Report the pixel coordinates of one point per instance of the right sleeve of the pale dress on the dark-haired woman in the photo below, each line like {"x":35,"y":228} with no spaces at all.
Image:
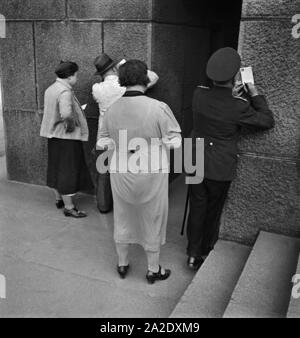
{"x":169,"y":128}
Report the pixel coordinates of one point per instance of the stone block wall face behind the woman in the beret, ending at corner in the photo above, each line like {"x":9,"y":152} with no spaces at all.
{"x":40,"y":33}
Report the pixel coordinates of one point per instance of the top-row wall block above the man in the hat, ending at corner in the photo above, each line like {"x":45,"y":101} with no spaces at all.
{"x":107,"y":9}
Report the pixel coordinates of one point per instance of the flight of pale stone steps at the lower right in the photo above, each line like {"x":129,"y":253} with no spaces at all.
{"x":235,"y":281}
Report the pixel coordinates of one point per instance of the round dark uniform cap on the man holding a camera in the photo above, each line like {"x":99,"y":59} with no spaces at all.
{"x":223,"y":64}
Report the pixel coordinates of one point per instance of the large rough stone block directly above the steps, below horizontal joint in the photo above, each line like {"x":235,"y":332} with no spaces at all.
{"x":264,"y":196}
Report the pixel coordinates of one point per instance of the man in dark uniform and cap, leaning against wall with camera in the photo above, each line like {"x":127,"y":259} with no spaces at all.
{"x":218,"y":117}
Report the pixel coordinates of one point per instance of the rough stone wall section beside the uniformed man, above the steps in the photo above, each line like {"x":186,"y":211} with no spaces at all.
{"x":265,"y":194}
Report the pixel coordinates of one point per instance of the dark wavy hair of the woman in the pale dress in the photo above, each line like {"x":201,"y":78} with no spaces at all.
{"x":132,"y":73}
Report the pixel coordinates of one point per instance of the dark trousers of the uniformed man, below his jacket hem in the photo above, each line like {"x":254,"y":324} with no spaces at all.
{"x":206,"y":204}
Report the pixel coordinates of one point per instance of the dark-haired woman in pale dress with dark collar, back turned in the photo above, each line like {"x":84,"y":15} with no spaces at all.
{"x":140,"y":194}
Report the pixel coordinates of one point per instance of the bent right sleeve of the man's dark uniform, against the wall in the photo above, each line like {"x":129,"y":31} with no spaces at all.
{"x":257,"y":114}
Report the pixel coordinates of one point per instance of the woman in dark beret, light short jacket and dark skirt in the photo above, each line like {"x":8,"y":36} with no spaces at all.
{"x":65,"y":127}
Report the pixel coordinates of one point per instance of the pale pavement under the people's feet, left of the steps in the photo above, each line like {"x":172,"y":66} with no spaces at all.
{"x":61,"y":267}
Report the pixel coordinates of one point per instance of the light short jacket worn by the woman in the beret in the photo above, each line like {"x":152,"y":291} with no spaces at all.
{"x":60,"y":103}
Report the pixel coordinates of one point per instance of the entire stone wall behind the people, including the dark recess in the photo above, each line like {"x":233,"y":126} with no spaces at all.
{"x":175,"y":38}
